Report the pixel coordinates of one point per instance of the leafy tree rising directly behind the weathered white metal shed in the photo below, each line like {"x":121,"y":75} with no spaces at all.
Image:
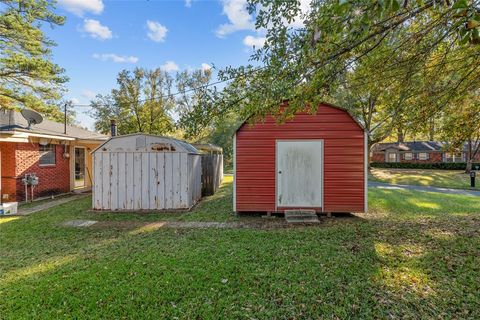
{"x":142,"y":103}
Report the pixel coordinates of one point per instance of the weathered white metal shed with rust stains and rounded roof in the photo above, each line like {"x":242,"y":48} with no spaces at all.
{"x":146,"y":172}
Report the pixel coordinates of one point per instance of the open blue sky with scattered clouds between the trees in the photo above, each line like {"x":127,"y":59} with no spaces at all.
{"x":102,"y":37}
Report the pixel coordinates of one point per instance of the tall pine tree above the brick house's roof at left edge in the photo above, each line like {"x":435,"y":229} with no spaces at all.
{"x":27,"y":76}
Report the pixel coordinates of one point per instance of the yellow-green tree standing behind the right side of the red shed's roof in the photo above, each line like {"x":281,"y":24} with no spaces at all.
{"x":378,"y":105}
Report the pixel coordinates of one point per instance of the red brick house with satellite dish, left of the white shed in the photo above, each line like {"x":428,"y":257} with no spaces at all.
{"x":62,"y":161}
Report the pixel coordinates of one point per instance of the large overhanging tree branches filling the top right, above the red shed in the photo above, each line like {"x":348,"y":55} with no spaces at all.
{"x":309,"y":64}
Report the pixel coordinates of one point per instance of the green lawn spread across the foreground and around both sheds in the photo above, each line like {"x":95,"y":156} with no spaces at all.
{"x":415,"y":255}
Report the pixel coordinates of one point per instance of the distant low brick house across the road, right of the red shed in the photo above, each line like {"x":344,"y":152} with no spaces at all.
{"x":418,"y":152}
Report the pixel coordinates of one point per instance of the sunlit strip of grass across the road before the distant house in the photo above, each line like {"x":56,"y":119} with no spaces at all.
{"x":436,"y":178}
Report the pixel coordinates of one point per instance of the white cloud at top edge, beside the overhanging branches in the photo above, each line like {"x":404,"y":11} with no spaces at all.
{"x":238,"y":16}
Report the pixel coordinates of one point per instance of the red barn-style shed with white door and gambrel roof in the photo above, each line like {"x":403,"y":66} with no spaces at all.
{"x":314,"y":161}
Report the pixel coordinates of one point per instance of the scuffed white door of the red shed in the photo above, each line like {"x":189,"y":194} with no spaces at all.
{"x":299,"y":173}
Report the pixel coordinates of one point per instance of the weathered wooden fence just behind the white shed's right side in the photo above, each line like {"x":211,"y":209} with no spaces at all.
{"x":212,"y":173}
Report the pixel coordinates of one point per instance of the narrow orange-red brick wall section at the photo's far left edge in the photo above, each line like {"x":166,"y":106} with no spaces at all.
{"x":9,"y":189}
